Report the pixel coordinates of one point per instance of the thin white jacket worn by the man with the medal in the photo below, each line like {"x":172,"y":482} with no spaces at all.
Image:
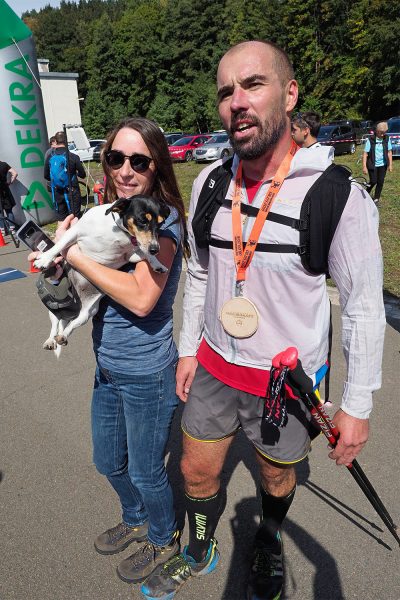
{"x":293,"y":305}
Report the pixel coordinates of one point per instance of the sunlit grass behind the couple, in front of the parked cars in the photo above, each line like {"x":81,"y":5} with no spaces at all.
{"x":389,"y":209}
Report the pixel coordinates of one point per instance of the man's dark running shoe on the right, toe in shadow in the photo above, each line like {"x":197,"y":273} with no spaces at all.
{"x":266,"y":575}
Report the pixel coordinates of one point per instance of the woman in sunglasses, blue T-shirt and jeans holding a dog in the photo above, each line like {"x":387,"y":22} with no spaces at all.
{"x":134,"y":389}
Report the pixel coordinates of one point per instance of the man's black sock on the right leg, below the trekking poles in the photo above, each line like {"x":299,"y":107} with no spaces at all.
{"x":274,"y":510}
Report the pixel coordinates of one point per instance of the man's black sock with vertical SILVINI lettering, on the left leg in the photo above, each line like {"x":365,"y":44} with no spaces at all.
{"x":203,"y":516}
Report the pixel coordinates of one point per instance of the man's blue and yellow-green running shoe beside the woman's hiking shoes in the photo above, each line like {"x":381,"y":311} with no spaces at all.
{"x":167,"y":579}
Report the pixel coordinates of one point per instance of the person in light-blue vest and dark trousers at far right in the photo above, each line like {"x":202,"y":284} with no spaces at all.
{"x":377,"y":158}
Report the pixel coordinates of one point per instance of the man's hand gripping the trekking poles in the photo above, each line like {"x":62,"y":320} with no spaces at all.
{"x":353,"y":436}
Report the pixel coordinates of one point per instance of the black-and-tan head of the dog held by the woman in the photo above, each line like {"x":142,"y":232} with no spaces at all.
{"x":142,"y":216}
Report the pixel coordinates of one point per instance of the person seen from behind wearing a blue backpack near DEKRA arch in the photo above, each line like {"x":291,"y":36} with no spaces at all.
{"x":65,"y":190}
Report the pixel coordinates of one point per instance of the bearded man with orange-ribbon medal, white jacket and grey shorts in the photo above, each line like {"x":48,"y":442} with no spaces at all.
{"x":222,"y":374}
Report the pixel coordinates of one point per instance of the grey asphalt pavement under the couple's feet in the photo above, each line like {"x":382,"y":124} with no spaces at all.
{"x":53,"y":503}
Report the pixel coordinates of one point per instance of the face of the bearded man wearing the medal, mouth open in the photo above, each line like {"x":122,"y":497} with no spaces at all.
{"x":252,"y":103}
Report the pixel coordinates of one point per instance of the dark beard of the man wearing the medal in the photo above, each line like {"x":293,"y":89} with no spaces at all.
{"x":266,"y":139}
